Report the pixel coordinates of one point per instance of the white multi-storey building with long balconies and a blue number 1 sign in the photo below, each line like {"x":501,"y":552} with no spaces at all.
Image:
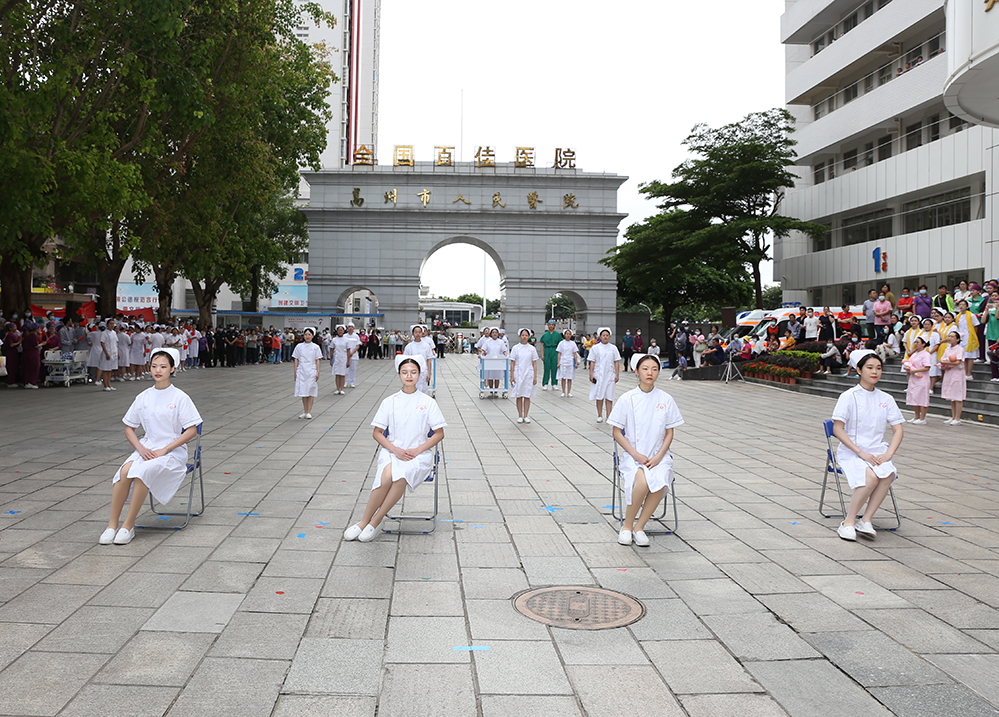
{"x":906,"y":187}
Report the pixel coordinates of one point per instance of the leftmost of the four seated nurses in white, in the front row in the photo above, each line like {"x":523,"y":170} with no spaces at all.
{"x":169,"y":420}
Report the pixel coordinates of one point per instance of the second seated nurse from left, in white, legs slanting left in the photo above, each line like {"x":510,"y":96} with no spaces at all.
{"x":406,"y":457}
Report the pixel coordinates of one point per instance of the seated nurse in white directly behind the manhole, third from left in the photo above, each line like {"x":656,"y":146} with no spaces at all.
{"x":643,"y":422}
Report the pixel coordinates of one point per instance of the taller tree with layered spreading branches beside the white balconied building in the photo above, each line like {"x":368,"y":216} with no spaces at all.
{"x":735,"y":185}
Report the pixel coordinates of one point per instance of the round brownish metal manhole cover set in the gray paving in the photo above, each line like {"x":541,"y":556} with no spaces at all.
{"x":579,"y":608}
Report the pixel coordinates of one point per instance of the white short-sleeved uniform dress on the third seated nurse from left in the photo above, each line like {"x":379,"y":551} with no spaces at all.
{"x":644,"y":418}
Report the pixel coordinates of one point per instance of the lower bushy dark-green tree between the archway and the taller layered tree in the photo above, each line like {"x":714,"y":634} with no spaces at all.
{"x":660,"y":266}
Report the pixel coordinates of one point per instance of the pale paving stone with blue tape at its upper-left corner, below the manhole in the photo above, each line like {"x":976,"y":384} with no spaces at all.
{"x":515,"y":666}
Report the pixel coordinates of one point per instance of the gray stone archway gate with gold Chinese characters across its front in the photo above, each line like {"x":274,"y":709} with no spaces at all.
{"x":547,"y":229}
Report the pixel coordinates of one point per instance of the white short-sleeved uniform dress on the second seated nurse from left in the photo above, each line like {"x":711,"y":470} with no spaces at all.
{"x":409,"y":418}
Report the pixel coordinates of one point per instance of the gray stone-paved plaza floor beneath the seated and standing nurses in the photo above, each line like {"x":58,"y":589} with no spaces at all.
{"x":754,"y":608}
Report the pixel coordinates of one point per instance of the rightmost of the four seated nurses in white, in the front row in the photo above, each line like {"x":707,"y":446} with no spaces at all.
{"x":859,"y":420}
